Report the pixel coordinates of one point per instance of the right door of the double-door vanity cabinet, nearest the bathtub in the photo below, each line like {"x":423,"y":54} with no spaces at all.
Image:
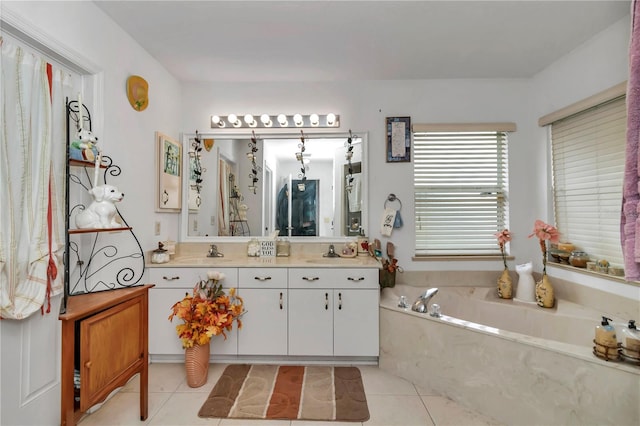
{"x":355,"y":319}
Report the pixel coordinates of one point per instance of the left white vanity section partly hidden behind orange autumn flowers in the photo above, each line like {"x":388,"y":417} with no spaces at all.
{"x":171,"y":284}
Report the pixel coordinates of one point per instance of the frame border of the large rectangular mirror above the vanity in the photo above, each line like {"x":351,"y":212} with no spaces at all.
{"x":265,"y":135}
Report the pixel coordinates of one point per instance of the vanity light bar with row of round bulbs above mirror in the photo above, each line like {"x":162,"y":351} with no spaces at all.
{"x":279,"y":121}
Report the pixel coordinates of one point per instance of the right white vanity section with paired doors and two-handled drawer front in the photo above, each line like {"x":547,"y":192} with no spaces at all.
{"x":333,"y":312}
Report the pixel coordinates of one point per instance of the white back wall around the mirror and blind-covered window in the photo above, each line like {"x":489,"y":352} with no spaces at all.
{"x":363,"y":107}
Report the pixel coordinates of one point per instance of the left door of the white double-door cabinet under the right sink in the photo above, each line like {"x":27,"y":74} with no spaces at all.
{"x":311,"y":322}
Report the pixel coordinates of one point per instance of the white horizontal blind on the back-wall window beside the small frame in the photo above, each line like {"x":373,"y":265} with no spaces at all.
{"x":460,"y":187}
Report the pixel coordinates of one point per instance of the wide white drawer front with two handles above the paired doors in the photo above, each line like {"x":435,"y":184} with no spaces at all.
{"x":333,"y":278}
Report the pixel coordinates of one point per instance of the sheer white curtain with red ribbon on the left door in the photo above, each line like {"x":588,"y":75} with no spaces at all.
{"x":32,"y":179}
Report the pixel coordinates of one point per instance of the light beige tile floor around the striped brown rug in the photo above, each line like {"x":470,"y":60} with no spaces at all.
{"x":391,"y":400}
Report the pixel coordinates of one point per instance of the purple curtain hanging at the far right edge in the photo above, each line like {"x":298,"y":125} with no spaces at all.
{"x":630,"y":221}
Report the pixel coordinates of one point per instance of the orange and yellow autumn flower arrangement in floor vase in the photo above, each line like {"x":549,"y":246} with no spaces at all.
{"x":207,"y":312}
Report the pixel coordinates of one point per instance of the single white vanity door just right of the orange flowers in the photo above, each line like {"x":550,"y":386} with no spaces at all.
{"x":264,"y":325}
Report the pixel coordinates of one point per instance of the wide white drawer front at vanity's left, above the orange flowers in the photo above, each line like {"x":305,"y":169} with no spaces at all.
{"x":187,"y":277}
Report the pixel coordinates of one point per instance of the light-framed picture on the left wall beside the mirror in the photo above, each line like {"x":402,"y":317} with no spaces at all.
{"x":169,"y":161}
